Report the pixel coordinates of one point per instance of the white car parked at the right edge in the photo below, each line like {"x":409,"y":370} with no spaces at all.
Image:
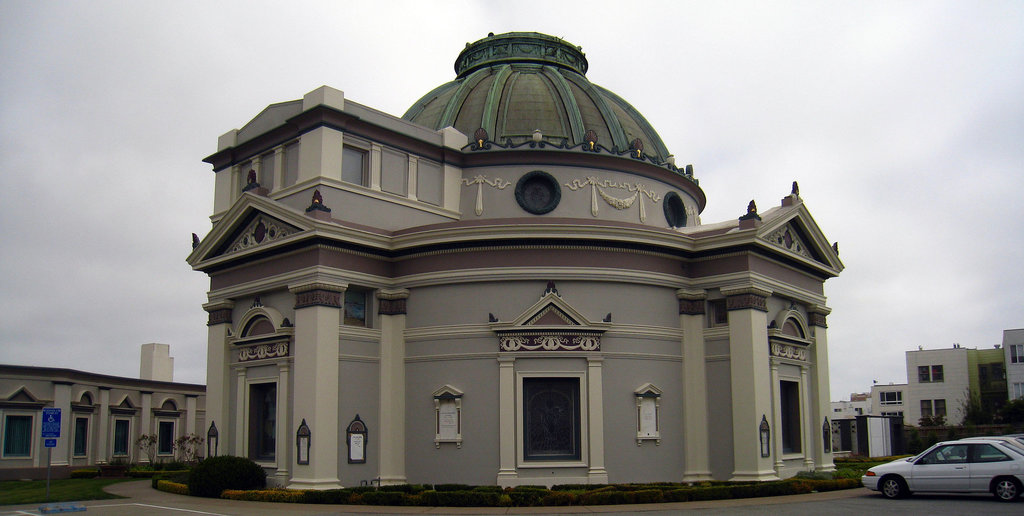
{"x":962,"y":466}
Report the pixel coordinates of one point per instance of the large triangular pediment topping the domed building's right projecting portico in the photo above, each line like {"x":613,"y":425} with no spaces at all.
{"x":794,"y":233}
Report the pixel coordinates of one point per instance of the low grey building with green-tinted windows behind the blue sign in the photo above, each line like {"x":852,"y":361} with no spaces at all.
{"x":102,"y":417}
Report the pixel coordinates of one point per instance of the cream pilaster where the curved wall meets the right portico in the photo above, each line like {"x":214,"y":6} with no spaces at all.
{"x":697,"y":467}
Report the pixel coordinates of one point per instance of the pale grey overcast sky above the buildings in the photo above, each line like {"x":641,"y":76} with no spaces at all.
{"x":904,"y":123}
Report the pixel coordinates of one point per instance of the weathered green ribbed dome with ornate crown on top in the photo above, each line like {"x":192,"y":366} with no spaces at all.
{"x":516,"y":83}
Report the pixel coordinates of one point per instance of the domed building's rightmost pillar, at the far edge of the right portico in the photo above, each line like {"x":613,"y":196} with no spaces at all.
{"x":821,"y":404}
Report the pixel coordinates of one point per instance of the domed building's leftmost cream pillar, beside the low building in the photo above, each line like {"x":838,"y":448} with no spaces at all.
{"x":219,"y":373}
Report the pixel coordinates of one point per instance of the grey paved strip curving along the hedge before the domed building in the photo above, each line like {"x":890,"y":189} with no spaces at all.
{"x":142,"y":499}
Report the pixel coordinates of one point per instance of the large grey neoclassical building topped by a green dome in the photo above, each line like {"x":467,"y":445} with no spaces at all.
{"x":509,"y":285}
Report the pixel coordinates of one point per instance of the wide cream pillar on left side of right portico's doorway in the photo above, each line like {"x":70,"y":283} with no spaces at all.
{"x":751,"y":380}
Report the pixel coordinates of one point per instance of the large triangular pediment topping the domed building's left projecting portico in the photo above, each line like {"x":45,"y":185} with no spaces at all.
{"x":253,"y":224}
